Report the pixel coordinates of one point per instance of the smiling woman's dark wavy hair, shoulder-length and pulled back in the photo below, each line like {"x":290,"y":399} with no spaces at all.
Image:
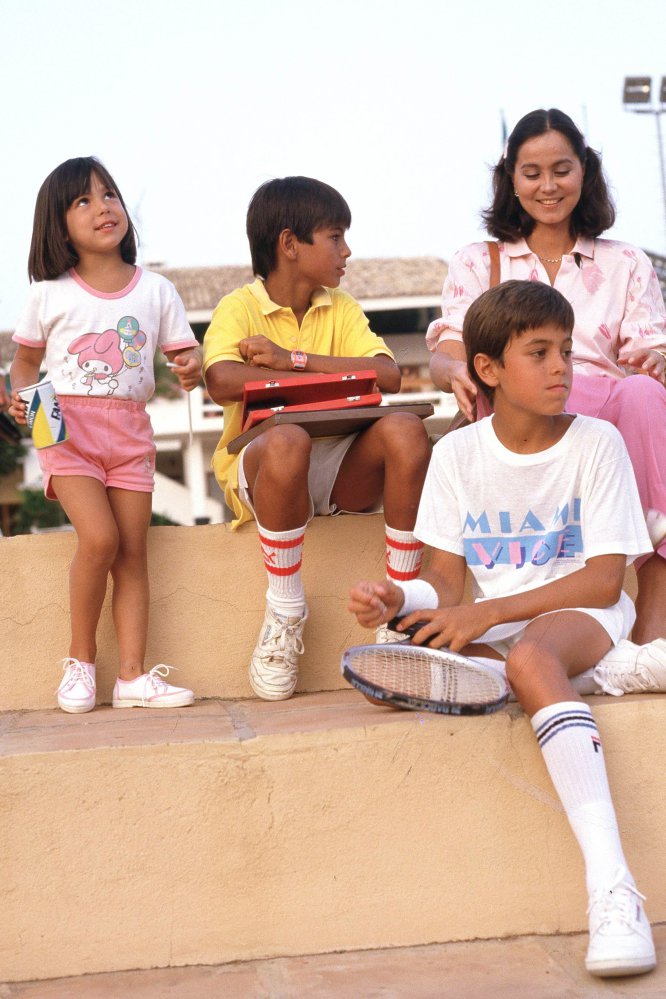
{"x":507,"y":220}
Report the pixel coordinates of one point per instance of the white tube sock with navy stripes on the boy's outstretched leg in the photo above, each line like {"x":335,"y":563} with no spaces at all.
{"x":569,"y":740}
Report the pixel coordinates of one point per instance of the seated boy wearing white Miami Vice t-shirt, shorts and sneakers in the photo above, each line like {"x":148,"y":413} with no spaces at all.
{"x":543,"y":508}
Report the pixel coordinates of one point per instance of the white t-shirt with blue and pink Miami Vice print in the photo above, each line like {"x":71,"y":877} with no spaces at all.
{"x":523,"y":520}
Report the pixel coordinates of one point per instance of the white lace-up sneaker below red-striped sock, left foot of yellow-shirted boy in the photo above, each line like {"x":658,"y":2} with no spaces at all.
{"x":274,"y":663}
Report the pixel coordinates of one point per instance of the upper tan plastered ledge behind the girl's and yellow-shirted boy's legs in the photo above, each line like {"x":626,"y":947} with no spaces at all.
{"x":207,"y":603}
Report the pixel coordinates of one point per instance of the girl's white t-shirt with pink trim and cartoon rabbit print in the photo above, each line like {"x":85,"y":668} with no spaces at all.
{"x":100,"y":344}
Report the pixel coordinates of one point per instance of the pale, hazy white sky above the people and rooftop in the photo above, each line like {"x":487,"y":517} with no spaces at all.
{"x":192,"y":105}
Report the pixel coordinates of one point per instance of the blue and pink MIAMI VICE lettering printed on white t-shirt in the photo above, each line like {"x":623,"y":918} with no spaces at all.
{"x":529,"y":541}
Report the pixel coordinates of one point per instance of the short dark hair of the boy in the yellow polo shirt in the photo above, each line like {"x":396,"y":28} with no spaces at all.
{"x":301,"y":204}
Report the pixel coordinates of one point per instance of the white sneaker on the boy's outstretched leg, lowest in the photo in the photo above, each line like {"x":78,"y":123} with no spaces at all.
{"x":620,"y":934}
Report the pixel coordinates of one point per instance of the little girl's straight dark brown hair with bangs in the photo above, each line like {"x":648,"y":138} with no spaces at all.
{"x":51,"y":253}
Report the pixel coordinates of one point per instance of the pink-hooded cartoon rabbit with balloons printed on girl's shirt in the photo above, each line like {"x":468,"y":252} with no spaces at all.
{"x":101,"y":356}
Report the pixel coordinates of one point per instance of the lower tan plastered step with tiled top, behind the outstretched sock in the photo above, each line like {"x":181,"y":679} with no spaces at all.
{"x":238,"y":831}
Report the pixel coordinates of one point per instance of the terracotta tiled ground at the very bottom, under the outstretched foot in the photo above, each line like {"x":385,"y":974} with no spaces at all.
{"x":520,"y":968}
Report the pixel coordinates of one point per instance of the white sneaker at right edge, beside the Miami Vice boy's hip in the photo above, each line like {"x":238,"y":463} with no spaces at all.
{"x":633,"y":669}
